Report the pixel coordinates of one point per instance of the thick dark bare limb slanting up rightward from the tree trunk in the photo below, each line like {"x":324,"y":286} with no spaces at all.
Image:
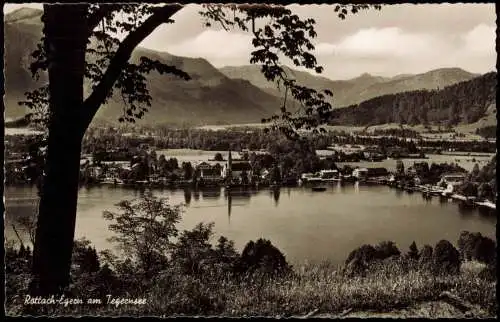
{"x":121,"y":57}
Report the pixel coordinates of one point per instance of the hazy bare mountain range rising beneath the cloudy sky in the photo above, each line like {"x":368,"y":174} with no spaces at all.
{"x":213,"y":96}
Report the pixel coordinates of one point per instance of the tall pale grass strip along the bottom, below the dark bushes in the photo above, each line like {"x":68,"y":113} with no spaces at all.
{"x":321,"y":287}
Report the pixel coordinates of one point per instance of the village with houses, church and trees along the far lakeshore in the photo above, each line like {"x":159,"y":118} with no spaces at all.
{"x":245,"y":169}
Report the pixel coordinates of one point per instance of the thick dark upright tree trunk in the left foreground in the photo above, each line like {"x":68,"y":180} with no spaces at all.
{"x":65,"y":43}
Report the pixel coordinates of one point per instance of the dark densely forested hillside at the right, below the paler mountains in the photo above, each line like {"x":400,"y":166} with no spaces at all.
{"x":465,"y":102}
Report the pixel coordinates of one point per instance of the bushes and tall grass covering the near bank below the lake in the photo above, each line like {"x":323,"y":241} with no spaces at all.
{"x":191,"y":275}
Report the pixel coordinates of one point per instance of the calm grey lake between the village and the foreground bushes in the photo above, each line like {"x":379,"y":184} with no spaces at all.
{"x":305,"y":225}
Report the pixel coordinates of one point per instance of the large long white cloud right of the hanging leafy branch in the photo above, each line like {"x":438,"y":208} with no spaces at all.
{"x":390,"y":51}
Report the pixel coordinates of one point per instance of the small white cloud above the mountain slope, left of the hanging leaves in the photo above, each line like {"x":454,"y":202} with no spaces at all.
{"x":218,"y":46}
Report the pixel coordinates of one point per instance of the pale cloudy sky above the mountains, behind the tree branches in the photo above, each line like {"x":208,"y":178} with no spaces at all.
{"x":399,"y":39}
